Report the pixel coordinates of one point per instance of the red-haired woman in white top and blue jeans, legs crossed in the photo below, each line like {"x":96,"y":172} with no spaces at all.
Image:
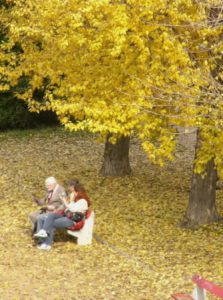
{"x":76,"y":207}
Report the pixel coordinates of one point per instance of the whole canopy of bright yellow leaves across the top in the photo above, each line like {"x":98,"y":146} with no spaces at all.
{"x":121,"y":67}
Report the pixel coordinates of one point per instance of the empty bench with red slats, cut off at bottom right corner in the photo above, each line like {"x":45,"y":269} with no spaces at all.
{"x":199,"y":293}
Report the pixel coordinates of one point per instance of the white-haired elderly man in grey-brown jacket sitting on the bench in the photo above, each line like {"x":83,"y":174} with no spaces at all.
{"x":51,"y":202}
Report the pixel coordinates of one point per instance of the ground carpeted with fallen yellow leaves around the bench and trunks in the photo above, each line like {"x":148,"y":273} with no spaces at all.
{"x":139,"y":252}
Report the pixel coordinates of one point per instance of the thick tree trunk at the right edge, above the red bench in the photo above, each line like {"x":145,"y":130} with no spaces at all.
{"x":202,"y":207}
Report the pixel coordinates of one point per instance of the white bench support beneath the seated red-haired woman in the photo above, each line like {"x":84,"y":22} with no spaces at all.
{"x":85,"y":234}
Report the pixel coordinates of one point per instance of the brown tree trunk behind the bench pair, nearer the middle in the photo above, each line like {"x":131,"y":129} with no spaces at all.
{"x":116,"y":158}
